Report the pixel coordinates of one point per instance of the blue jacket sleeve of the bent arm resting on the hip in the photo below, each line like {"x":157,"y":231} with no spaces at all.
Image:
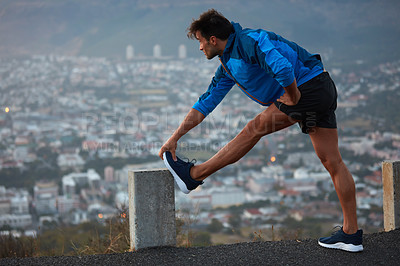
{"x":271,"y":60}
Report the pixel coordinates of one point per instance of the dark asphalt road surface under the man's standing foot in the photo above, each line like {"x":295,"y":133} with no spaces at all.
{"x":379,"y":249}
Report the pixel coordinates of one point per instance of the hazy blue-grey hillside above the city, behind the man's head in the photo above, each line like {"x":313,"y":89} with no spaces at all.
{"x":349,"y":30}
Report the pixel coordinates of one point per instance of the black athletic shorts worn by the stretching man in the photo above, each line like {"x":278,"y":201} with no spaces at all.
{"x":317,"y":105}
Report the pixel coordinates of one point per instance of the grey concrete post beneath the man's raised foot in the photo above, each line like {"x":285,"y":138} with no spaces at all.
{"x":151,"y":209}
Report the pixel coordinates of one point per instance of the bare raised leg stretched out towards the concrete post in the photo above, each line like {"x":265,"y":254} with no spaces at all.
{"x":268,"y":121}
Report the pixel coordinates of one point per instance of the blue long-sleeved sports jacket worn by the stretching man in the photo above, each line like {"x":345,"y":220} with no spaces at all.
{"x":261,"y":63}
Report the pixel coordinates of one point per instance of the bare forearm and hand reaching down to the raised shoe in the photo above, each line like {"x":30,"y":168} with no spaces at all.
{"x":192,"y":119}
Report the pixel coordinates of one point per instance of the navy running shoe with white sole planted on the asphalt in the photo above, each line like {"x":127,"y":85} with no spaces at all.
{"x":343,"y":241}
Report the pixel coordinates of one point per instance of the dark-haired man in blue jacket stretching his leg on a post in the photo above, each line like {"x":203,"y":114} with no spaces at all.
{"x":293,"y":84}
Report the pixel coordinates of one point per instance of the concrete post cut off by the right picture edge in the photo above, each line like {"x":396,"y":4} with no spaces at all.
{"x":391,"y":194}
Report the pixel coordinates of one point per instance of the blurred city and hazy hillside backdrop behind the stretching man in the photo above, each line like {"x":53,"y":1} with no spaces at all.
{"x":92,"y":89}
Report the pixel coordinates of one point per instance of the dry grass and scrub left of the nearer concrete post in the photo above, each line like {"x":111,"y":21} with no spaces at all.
{"x":115,"y":240}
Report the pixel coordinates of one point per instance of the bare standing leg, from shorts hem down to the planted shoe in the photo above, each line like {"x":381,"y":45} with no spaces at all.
{"x":325,"y":142}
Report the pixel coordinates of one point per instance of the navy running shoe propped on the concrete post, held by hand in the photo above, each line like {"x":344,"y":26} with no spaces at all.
{"x":181,"y":172}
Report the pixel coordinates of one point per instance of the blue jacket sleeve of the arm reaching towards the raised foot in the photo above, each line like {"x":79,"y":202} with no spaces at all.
{"x":220,"y":85}
